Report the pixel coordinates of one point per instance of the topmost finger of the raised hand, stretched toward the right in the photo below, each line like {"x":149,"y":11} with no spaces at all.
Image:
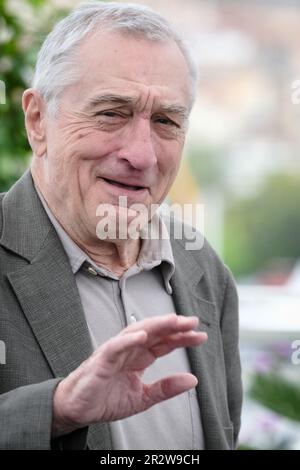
{"x":163,"y":325}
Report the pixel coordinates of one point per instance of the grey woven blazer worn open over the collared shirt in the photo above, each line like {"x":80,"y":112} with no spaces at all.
{"x":43,"y":326}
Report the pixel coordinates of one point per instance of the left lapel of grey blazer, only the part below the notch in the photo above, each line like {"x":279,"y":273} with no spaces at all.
{"x":48,"y":295}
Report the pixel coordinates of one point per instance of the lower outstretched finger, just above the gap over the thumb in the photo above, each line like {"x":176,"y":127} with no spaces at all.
{"x":179,"y":340}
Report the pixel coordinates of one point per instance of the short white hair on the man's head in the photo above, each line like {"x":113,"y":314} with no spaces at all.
{"x":57,"y":66}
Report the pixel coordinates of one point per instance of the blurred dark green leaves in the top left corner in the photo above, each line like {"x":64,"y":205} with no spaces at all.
{"x":19,"y":44}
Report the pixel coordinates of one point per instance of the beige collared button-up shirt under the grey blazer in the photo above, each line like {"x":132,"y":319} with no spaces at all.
{"x":110,"y":304}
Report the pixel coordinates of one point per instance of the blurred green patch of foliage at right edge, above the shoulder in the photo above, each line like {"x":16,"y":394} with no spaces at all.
{"x":265,"y":226}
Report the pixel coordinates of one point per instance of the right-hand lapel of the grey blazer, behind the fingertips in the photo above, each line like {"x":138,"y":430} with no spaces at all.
{"x":203,"y":359}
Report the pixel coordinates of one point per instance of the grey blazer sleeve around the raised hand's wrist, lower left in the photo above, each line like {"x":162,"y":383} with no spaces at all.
{"x":26,"y":420}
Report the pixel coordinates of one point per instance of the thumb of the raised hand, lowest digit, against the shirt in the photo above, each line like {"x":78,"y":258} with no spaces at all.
{"x":167,"y":388}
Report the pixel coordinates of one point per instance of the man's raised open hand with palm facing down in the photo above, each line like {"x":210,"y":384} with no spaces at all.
{"x":108,"y":385}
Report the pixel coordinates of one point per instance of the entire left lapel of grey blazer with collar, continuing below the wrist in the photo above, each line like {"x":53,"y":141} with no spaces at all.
{"x":46,"y":289}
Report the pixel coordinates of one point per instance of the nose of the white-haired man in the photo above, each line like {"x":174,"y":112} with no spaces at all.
{"x":138,"y":147}
